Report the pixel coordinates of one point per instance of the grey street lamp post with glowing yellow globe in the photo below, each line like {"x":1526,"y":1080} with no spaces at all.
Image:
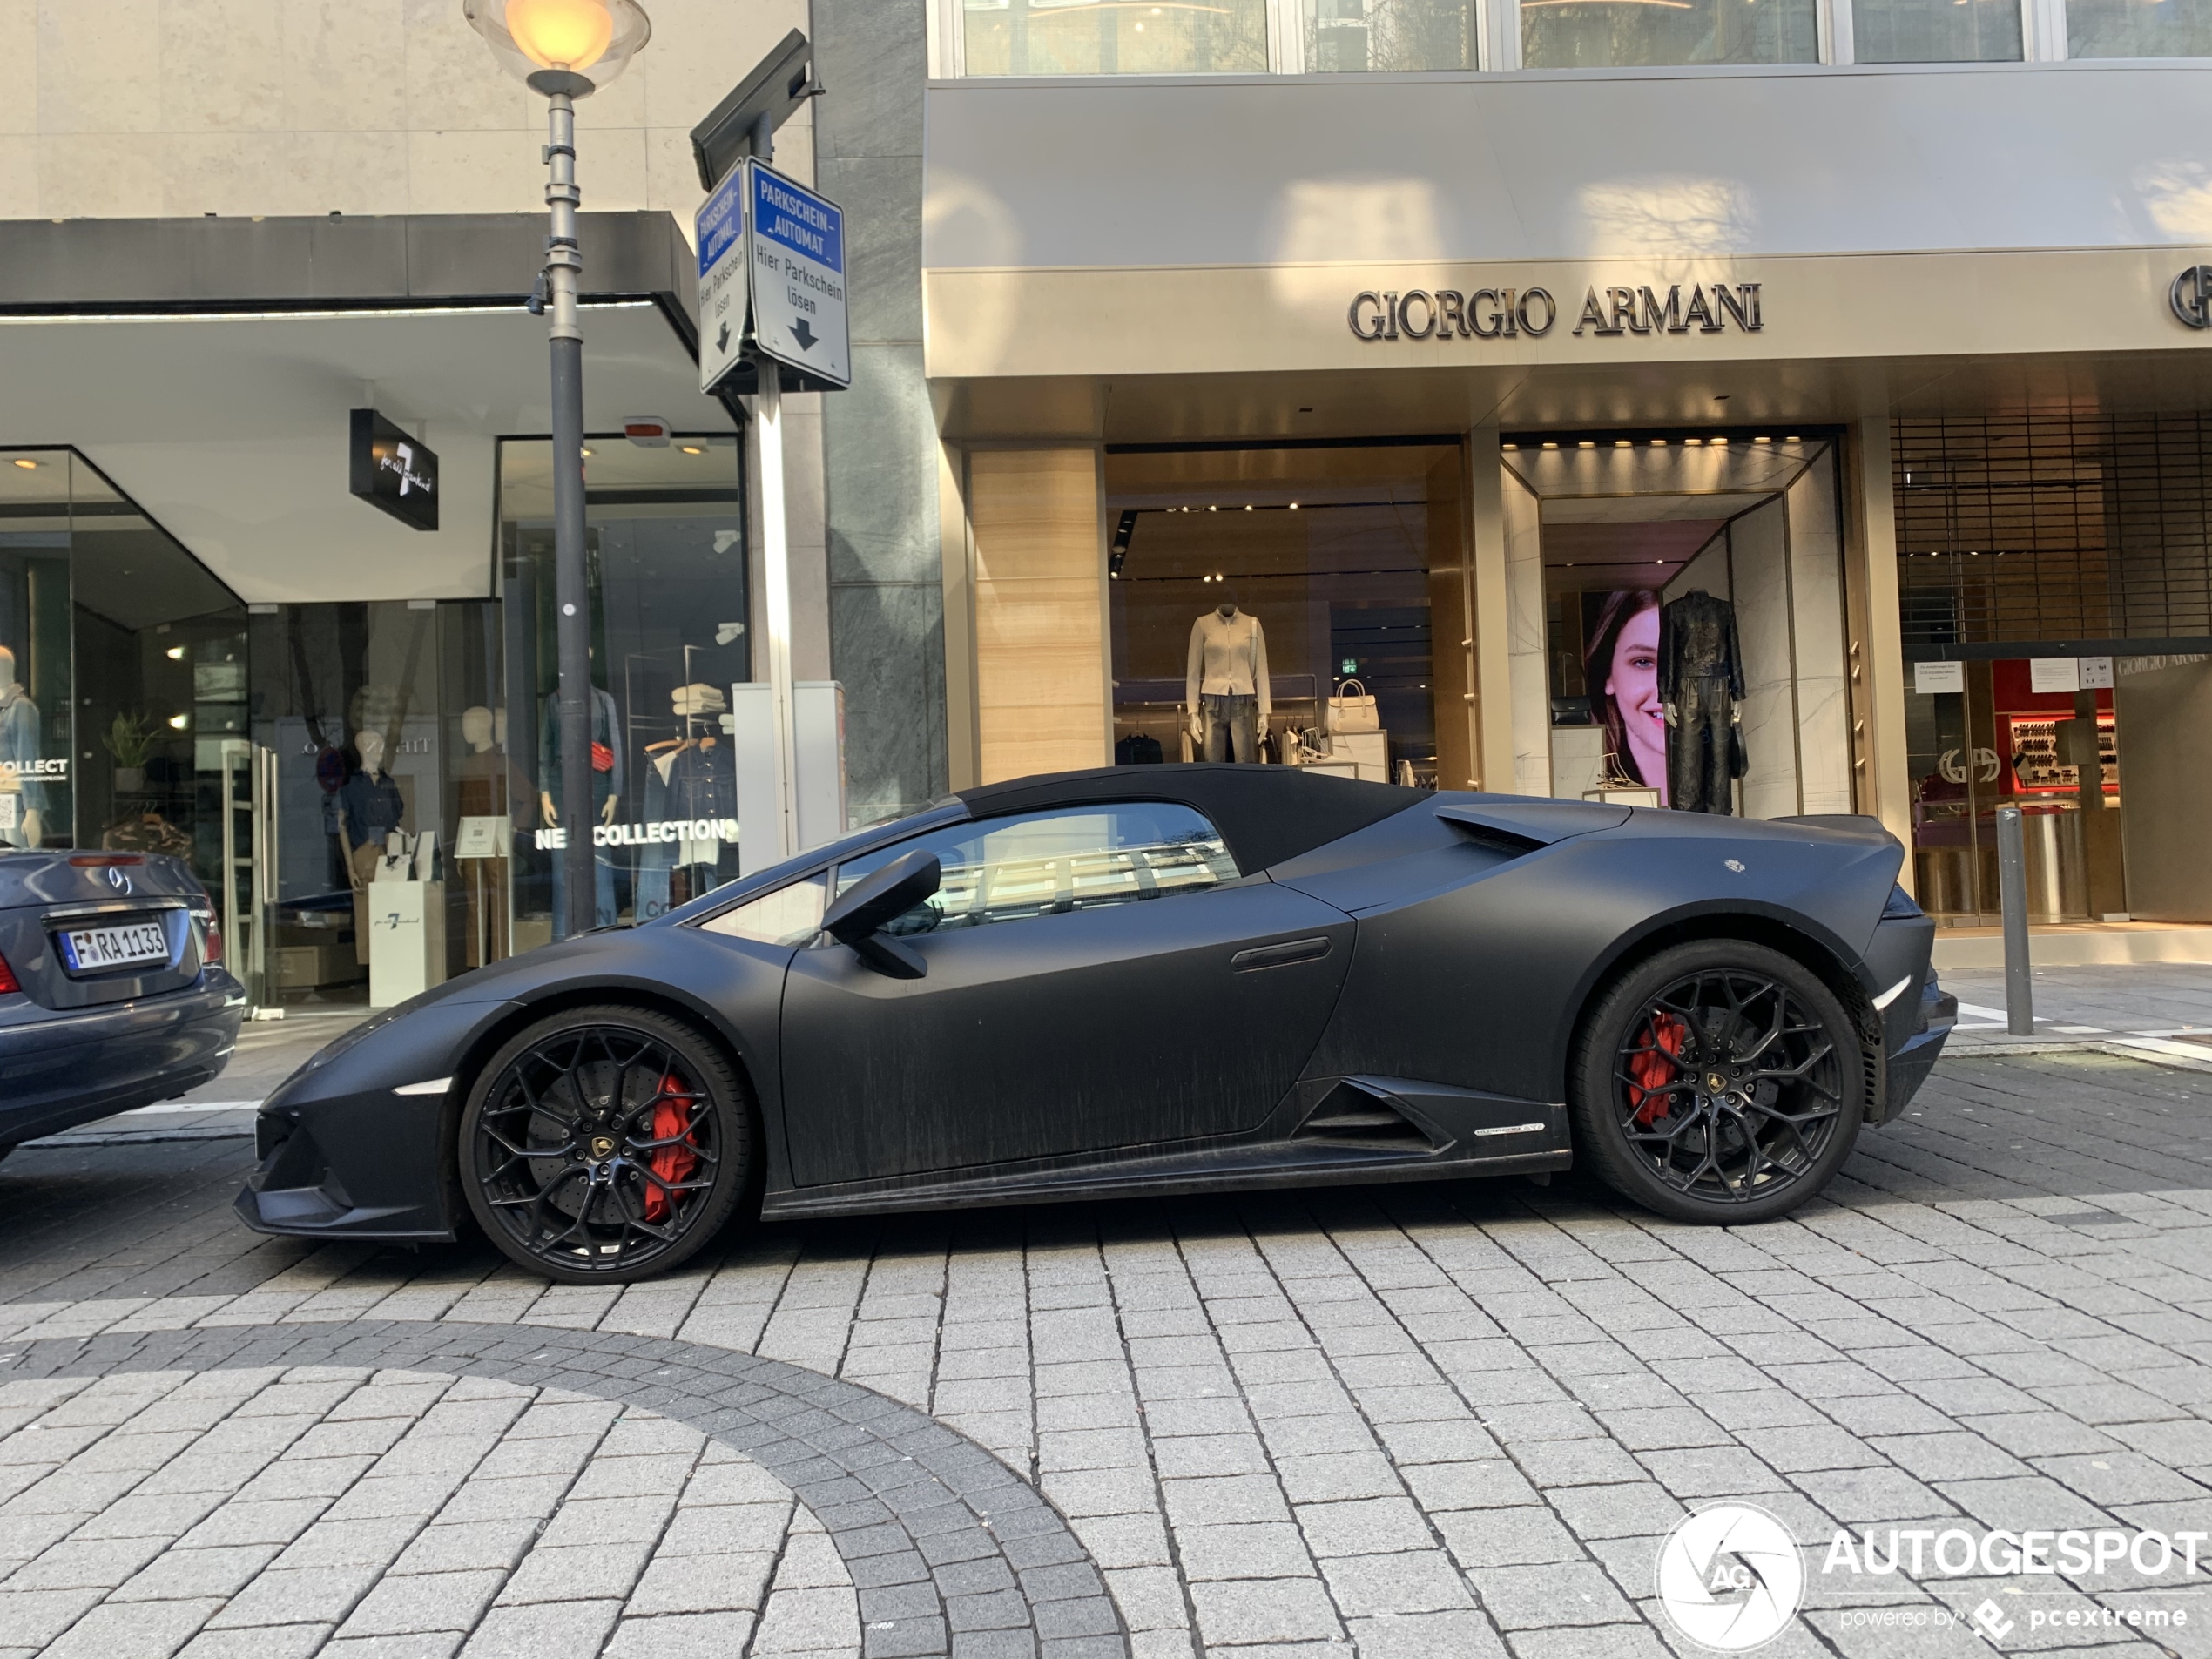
{"x":567,"y":50}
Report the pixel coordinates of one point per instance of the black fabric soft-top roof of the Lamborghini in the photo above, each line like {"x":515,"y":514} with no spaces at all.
{"x":1266,"y":813}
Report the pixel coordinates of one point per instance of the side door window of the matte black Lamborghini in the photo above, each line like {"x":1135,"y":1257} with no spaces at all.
{"x":1047,"y":864}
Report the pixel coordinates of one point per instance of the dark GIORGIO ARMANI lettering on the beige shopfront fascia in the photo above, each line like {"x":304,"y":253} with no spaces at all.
{"x":1507,"y":313}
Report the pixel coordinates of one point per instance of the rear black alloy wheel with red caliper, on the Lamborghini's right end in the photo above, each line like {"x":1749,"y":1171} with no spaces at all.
{"x":1720,"y":1083}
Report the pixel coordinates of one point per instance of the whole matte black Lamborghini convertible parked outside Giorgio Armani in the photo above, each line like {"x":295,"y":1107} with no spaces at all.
{"x":1134,"y":981}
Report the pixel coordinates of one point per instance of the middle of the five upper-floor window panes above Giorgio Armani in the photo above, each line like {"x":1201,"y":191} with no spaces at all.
{"x":1631,"y":34}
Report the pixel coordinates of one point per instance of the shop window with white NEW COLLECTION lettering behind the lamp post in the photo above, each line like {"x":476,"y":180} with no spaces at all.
{"x":669,"y":638}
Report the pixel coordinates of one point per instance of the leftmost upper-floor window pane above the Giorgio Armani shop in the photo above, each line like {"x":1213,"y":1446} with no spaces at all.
{"x":1116,"y":36}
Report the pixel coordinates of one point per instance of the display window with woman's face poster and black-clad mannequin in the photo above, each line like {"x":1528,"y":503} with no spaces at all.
{"x":1689,"y":572}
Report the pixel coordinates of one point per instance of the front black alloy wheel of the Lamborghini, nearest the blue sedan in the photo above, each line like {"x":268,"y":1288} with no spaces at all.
{"x":605,"y":1145}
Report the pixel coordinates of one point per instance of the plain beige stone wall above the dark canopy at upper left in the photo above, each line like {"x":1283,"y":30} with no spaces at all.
{"x":408,"y":72}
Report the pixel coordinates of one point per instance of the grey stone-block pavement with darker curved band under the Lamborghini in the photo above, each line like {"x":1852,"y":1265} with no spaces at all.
{"x":1399,"y":1421}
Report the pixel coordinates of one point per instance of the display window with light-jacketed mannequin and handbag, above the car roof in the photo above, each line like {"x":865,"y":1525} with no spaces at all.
{"x":1293,"y":607}
